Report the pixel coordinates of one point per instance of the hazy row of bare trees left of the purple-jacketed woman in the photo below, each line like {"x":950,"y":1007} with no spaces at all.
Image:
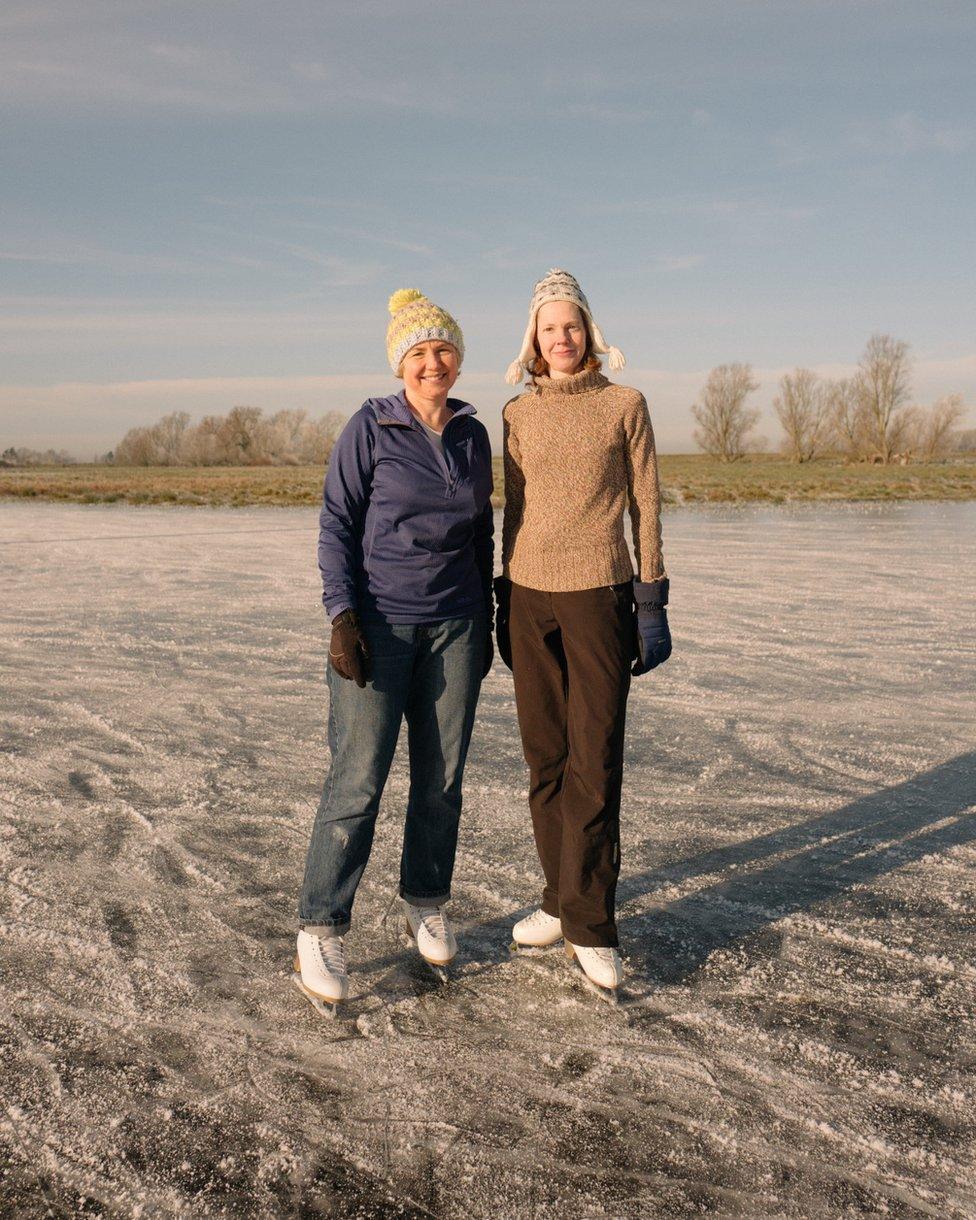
{"x":243,"y":437}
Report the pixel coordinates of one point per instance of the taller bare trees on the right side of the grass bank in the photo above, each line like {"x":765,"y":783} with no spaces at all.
{"x":866,"y":418}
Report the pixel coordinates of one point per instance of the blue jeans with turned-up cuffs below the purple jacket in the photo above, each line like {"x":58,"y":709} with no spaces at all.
{"x":431,"y":675}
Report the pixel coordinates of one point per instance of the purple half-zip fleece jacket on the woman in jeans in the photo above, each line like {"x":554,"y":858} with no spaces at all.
{"x":403,"y":530}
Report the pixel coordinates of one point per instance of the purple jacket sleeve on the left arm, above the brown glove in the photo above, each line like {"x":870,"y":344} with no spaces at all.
{"x":345,"y":501}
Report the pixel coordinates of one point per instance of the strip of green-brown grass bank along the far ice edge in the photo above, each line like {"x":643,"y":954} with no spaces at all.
{"x":687,"y":479}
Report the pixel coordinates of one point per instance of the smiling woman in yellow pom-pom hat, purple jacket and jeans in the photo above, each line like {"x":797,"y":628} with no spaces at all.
{"x":406,"y":552}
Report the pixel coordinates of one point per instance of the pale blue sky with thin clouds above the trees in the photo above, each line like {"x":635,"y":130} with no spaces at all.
{"x":209,"y":203}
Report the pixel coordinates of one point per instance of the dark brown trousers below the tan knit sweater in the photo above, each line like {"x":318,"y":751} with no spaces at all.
{"x":572,"y":663}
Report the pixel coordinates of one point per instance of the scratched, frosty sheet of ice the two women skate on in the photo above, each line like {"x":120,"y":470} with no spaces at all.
{"x":797,"y":905}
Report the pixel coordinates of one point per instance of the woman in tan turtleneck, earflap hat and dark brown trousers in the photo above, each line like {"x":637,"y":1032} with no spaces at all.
{"x":574,"y":622}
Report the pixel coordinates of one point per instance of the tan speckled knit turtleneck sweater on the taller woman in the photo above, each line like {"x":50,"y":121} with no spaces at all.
{"x":579,"y":452}
